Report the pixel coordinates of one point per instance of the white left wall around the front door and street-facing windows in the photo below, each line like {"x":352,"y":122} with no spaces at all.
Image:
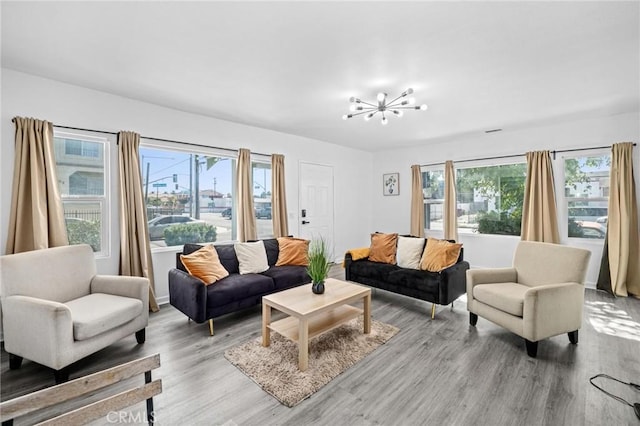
{"x":29,"y":96}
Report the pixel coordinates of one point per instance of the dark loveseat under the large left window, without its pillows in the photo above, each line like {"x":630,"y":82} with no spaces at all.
{"x":203,"y":303}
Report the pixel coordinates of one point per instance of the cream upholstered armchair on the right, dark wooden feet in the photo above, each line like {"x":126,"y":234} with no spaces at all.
{"x":541,"y":296}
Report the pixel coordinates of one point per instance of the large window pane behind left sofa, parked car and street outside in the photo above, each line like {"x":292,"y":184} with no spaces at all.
{"x":186,"y":194}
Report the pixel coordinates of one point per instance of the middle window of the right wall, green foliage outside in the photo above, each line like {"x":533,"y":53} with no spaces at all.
{"x":490,"y":198}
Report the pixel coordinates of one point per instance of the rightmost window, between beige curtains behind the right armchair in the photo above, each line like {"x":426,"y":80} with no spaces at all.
{"x":586,"y":190}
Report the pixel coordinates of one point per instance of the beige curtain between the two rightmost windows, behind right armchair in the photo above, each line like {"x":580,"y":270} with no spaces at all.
{"x":539,"y":212}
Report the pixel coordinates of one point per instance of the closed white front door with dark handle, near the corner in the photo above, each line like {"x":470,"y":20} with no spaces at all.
{"x":316,"y":203}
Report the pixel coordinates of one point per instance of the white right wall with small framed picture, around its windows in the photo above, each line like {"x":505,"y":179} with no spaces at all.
{"x":392,"y":214}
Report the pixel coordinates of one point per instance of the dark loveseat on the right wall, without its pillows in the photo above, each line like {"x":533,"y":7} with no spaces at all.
{"x":436,"y":287}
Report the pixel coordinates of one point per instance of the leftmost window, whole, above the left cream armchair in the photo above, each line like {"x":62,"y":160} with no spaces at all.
{"x":82,"y":168}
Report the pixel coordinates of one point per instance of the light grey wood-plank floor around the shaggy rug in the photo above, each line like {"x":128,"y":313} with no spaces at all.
{"x":439,"y":371}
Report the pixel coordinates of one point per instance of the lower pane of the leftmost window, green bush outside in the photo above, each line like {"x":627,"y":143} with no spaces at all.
{"x":84,"y":223}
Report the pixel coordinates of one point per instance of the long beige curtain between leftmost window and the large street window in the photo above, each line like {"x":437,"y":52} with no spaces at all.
{"x":135,"y":250}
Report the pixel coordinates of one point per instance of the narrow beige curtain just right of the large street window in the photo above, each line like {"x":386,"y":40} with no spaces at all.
{"x":246,"y":215}
